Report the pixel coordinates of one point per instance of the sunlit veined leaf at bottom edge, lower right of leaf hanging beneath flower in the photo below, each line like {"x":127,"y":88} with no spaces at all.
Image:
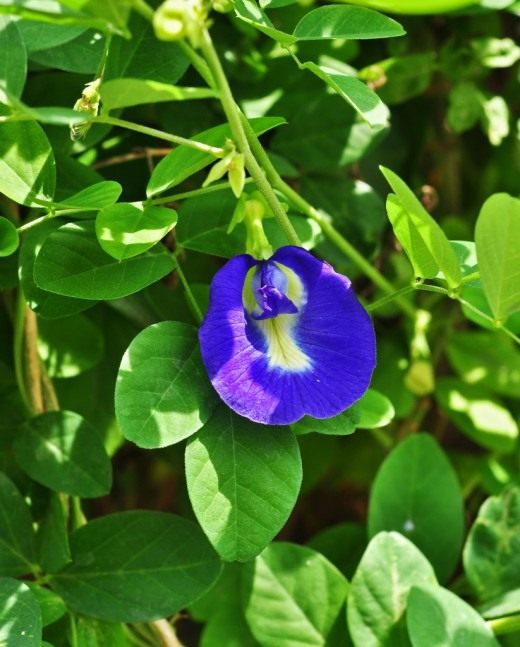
{"x":292,"y":596}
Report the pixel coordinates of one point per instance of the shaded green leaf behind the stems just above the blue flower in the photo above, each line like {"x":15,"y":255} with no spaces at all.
{"x":204,"y":220}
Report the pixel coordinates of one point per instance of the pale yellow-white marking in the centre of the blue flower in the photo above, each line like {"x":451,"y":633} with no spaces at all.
{"x":282,"y":350}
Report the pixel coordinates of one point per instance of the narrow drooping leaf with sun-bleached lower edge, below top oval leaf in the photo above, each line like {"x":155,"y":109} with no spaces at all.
{"x":356,"y":93}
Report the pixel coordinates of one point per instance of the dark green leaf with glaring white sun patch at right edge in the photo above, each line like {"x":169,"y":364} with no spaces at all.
{"x":478,"y":414}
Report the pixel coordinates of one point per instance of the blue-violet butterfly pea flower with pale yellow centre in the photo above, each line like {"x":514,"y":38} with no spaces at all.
{"x":286,"y":337}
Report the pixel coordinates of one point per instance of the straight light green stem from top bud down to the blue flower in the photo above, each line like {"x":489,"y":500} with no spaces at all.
{"x":237,"y":130}
